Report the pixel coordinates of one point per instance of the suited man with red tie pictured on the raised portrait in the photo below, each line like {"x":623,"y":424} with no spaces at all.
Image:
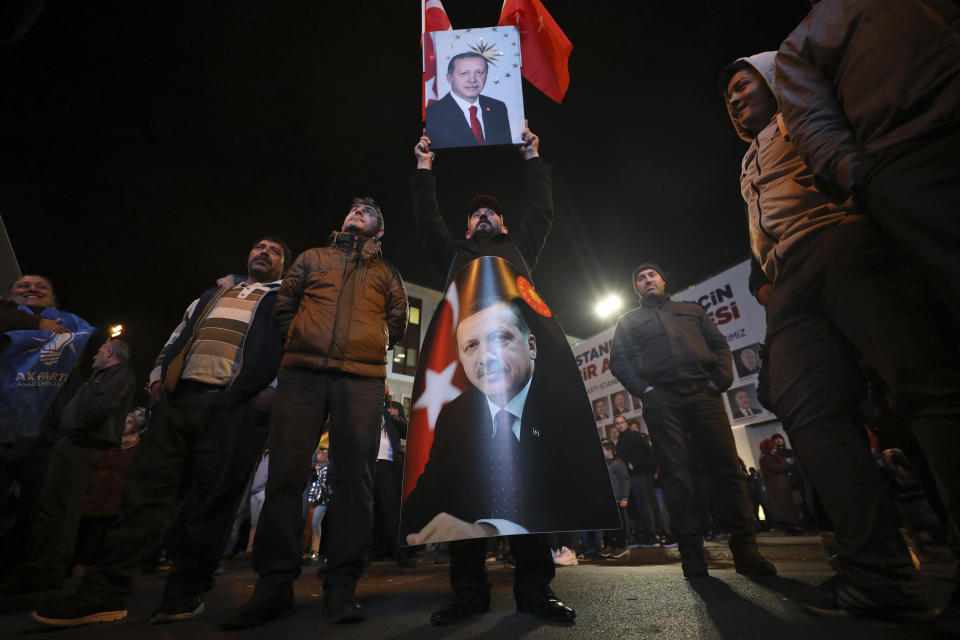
{"x":464,"y":117}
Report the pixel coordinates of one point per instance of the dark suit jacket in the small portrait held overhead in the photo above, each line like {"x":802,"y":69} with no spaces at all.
{"x":447,"y":126}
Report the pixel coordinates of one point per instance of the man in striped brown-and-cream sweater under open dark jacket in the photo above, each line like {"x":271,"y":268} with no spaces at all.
{"x":211,"y":394}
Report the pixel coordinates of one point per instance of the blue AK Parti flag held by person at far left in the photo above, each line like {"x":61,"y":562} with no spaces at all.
{"x":32,"y":370}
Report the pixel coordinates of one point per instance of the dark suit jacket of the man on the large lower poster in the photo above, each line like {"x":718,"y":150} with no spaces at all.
{"x":563,"y":478}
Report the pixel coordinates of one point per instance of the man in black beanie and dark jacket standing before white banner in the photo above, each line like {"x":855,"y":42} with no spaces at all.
{"x":672,"y":355}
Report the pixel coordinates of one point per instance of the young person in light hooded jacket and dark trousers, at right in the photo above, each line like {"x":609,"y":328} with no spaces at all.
{"x":817,"y":266}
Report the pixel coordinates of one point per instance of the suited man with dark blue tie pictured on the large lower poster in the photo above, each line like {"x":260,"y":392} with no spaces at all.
{"x":506,"y":457}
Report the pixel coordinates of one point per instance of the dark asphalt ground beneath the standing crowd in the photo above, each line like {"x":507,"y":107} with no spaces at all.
{"x":612,"y":599}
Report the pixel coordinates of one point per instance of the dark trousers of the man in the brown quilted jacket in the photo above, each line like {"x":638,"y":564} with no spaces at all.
{"x":305,"y":398}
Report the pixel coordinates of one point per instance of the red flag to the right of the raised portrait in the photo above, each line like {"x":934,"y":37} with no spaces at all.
{"x":544,"y":47}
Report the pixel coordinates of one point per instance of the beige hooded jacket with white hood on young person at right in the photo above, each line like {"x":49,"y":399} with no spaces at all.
{"x":783,"y":206}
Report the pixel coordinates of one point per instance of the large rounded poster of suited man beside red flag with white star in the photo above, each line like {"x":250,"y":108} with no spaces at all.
{"x":502,"y":439}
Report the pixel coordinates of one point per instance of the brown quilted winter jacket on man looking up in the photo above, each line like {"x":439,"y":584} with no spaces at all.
{"x":341,"y":307}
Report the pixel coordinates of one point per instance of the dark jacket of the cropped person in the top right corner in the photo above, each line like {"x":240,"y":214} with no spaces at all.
{"x":859,"y":78}
